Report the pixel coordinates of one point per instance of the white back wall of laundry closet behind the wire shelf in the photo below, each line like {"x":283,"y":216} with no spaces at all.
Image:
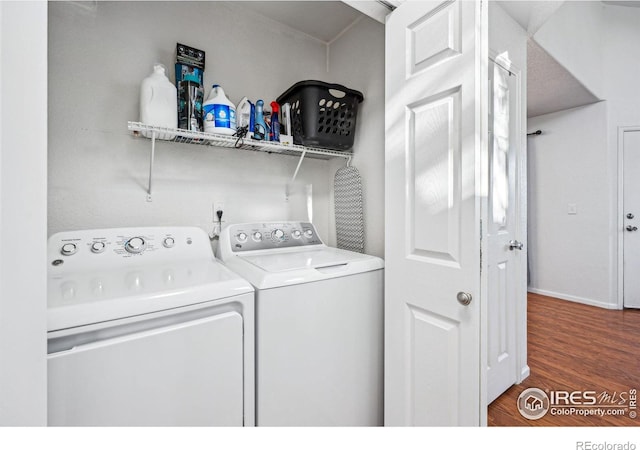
{"x":98,"y":171}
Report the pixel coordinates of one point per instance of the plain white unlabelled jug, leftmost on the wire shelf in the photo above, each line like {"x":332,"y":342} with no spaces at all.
{"x":159,"y":102}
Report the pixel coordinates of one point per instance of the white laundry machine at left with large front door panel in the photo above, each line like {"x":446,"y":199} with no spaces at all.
{"x":146,"y":328}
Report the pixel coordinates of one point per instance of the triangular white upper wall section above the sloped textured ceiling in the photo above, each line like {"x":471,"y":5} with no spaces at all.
{"x":573,"y":36}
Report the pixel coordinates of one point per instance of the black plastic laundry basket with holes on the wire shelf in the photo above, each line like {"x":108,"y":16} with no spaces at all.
{"x":322,"y":114}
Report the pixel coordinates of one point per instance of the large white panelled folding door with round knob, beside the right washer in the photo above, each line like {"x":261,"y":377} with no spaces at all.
{"x":435,"y":172}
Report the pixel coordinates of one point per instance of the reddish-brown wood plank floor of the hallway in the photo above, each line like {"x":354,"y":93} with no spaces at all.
{"x":575,"y":347}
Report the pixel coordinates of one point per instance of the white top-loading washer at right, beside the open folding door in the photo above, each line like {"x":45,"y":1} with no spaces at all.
{"x":319,"y":325}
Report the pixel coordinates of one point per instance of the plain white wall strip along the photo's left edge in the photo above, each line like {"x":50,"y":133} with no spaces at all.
{"x":23,"y":226}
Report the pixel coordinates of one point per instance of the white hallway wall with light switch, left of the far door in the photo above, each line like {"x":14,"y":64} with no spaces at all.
{"x":570,"y":255}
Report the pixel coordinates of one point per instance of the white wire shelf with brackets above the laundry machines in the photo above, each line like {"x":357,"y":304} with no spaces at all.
{"x":219,"y":140}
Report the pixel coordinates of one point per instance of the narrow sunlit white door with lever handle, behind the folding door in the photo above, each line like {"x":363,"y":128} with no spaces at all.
{"x":503,"y":248}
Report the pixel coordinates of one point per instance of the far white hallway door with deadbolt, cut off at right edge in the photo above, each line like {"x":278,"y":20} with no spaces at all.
{"x":631,"y":211}
